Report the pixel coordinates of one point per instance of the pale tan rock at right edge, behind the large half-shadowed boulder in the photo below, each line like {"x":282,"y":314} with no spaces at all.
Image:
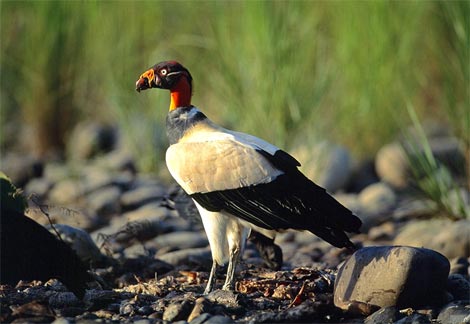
{"x":452,"y":242}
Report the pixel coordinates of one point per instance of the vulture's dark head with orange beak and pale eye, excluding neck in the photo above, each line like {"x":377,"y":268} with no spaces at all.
{"x":164,"y":75}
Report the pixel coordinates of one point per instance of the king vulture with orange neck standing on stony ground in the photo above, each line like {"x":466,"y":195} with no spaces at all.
{"x":238,"y":181}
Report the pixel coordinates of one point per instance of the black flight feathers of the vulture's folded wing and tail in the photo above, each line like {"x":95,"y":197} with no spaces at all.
{"x":289,"y":201}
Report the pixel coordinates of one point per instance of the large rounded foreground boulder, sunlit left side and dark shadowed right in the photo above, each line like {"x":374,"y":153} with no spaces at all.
{"x":392,"y":275}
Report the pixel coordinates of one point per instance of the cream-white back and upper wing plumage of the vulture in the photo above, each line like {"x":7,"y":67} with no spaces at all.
{"x":211,"y":159}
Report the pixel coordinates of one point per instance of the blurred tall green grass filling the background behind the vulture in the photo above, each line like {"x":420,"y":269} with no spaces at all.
{"x":291,"y":72}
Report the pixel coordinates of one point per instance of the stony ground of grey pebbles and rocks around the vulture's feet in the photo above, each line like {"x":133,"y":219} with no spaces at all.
{"x":151,"y":260}
